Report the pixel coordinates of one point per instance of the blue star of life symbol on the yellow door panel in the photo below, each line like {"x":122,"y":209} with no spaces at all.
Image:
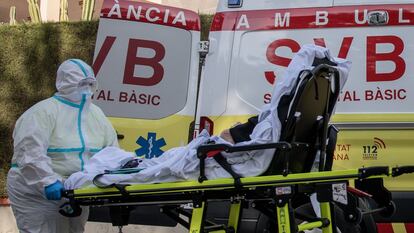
{"x":150,"y":147}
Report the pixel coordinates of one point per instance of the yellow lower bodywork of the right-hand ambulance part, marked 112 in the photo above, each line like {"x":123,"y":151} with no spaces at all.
{"x":362,"y":147}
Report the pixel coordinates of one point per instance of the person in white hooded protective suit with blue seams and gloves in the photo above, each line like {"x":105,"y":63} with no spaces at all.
{"x":53,"y":139}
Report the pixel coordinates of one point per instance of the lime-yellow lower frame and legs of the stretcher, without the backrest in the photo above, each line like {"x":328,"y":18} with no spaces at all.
{"x":278,"y":188}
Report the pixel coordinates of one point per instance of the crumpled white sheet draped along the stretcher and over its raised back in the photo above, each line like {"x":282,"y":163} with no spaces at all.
{"x":182,"y":163}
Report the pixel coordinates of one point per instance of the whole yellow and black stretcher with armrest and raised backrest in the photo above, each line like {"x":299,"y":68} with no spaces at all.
{"x":302,"y":148}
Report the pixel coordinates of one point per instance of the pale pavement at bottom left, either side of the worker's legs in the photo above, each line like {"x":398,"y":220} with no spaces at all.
{"x":8,"y":225}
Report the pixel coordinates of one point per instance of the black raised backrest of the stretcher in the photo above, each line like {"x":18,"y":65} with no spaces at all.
{"x":304,"y":114}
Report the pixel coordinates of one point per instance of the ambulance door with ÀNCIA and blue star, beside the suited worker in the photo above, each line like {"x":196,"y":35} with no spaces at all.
{"x":146,"y":62}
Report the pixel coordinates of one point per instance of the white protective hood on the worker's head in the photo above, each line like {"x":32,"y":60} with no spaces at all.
{"x":74,"y":79}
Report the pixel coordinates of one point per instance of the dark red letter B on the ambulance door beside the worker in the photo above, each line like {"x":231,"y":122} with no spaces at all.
{"x":153,"y":62}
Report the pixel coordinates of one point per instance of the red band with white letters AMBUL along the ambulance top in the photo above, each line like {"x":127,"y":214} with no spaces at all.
{"x":301,"y":18}
